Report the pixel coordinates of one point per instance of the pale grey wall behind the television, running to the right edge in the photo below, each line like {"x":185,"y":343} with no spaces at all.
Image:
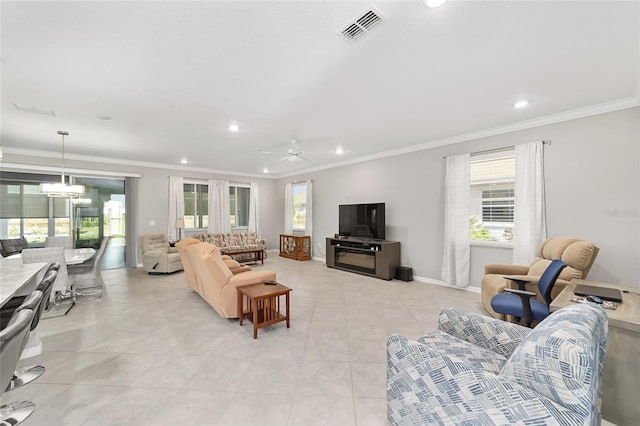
{"x":592,"y":186}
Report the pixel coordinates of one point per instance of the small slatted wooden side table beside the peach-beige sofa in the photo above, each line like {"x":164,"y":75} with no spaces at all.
{"x":263,"y":305}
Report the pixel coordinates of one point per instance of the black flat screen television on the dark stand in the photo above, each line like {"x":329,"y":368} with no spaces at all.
{"x":362,"y":220}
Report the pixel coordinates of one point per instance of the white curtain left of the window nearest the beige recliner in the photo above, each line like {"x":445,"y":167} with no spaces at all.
{"x":456,"y":256}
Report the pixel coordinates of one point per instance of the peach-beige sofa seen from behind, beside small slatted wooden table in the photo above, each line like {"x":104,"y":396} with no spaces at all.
{"x":210,"y":276}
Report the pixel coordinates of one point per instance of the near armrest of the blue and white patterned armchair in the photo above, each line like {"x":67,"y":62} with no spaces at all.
{"x":425,"y":386}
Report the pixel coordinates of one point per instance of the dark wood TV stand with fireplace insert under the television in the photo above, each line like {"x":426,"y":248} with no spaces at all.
{"x":367,"y":256}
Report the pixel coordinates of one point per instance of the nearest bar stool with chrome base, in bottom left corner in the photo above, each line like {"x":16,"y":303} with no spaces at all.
{"x":13,"y":339}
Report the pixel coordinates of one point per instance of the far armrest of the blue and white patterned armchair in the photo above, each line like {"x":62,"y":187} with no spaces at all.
{"x":490,"y":333}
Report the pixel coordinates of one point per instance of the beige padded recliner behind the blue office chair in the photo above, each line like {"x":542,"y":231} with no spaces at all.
{"x":579,"y":256}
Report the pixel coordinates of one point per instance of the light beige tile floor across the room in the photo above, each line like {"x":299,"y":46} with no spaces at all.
{"x":152,"y":352}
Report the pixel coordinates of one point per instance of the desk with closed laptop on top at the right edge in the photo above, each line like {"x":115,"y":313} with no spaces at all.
{"x":620,"y":384}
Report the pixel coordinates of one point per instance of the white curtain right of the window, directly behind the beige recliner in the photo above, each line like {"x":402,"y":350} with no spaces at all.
{"x":530,"y":225}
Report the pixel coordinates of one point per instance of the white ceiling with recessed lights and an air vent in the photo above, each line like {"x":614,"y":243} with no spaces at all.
{"x":173,"y":75}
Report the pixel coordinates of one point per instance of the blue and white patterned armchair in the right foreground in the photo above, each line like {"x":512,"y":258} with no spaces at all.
{"x":477,"y":370}
